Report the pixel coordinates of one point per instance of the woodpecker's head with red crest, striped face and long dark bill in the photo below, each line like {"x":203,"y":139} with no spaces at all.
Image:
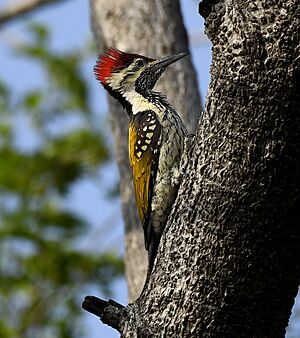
{"x":122,"y":72}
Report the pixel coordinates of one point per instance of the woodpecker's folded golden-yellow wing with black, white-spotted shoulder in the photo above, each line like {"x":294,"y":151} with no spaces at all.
{"x":144,"y":133}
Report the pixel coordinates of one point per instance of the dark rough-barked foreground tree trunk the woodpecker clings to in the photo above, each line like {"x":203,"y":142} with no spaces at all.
{"x":228,"y":264}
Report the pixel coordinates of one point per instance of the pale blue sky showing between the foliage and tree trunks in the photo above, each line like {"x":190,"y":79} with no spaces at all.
{"x":70,"y":28}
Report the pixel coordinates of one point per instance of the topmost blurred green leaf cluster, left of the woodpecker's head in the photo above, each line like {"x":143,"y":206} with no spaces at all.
{"x":65,"y":82}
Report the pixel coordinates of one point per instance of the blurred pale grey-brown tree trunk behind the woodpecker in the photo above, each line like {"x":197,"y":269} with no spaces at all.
{"x":152,"y":28}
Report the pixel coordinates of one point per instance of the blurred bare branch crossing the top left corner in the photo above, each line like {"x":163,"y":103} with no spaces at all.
{"x":17,"y":10}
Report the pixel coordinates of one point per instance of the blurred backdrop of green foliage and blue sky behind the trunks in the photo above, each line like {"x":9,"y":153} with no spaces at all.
{"x":61,"y":229}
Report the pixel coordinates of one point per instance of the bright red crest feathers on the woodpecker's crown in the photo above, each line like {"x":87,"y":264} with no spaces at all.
{"x":113,"y":60}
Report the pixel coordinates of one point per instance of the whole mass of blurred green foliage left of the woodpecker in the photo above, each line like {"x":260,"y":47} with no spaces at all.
{"x":43,"y":274}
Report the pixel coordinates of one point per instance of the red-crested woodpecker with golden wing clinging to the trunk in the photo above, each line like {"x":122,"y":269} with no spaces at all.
{"x":156,"y":136}
